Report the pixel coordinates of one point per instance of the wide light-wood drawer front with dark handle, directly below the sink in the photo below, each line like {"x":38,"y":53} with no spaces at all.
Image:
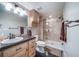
{"x":13,"y":50}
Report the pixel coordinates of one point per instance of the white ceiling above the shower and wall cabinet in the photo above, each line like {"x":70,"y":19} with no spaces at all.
{"x":45,"y":8}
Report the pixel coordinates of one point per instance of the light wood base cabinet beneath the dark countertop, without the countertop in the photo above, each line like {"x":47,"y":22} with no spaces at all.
{"x":20,"y":50}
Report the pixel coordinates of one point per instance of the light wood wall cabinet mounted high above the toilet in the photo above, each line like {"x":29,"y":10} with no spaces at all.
{"x":33,"y":18}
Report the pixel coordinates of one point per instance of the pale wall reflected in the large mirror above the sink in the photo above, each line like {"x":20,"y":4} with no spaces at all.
{"x":9,"y":19}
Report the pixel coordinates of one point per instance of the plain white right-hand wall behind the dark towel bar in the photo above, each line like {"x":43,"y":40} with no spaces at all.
{"x":71,"y":12}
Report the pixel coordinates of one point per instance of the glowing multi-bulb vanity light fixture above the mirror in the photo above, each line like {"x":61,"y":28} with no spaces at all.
{"x":15,"y":8}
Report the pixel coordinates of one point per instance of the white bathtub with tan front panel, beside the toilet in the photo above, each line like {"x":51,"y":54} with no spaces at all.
{"x":55,"y":47}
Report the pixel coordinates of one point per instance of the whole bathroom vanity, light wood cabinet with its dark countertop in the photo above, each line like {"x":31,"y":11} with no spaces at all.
{"x":23,"y":48}
